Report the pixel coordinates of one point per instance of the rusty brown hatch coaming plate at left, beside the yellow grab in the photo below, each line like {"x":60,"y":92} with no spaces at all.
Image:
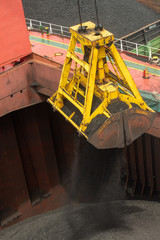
{"x":20,"y":86}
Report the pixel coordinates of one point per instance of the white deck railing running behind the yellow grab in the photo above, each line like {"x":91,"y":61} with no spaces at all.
{"x":121,"y":45}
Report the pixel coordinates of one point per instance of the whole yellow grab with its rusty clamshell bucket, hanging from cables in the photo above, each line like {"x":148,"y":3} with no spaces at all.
{"x":100,"y":98}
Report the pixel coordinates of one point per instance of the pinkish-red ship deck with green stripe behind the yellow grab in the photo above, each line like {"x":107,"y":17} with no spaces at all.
{"x":55,"y":48}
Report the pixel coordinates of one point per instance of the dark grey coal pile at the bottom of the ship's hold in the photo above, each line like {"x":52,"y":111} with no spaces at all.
{"x":139,"y":220}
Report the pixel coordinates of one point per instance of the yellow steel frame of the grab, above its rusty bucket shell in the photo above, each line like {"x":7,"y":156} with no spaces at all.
{"x":95,"y":75}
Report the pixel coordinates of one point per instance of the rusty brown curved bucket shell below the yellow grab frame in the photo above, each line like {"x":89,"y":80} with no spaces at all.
{"x":122,"y":129}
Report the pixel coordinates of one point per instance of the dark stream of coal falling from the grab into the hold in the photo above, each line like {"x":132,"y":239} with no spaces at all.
{"x":95,"y":173}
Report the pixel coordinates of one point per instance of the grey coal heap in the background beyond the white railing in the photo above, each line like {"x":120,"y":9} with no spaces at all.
{"x":120,"y":17}
